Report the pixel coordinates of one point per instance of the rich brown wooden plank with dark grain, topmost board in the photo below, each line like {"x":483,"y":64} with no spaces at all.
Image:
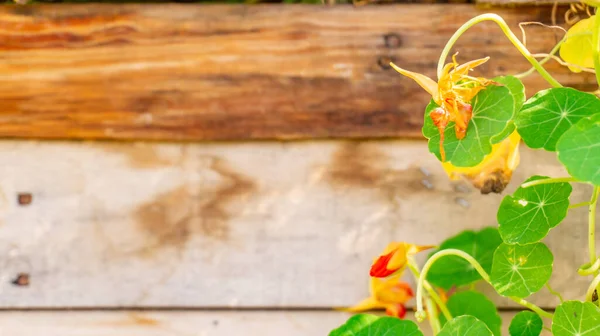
{"x":192,"y":72}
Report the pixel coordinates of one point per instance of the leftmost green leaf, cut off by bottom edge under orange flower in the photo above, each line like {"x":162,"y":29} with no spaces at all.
{"x":372,"y":325}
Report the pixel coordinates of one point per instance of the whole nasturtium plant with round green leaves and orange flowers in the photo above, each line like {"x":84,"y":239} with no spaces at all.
{"x":474,"y":126}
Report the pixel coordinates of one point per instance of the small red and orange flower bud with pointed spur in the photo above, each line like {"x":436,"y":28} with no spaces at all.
{"x":394,"y":258}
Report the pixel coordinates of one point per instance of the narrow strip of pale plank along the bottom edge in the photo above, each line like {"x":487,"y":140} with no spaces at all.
{"x":181,"y":323}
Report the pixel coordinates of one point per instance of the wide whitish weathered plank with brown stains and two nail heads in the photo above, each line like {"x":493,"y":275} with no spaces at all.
{"x":234,"y":225}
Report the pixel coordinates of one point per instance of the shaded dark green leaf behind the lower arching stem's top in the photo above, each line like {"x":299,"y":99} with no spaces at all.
{"x":449,"y":271}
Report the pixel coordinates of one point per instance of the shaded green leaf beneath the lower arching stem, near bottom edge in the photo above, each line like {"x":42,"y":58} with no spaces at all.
{"x":477,"y":305}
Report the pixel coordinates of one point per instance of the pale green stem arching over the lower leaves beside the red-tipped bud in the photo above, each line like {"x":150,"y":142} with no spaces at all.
{"x":420,"y":314}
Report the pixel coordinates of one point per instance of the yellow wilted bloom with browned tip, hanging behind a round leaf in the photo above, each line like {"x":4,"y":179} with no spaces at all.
{"x":495,"y":171}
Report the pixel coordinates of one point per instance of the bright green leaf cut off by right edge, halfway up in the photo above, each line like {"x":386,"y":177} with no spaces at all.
{"x":579,"y":150}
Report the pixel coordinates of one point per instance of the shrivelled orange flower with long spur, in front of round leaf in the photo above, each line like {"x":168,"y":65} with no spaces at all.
{"x":453,"y":92}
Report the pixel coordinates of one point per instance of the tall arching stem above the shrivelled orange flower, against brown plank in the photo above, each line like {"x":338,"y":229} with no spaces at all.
{"x":511,"y":36}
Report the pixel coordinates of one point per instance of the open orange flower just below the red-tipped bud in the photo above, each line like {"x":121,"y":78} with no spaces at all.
{"x":390,"y":294}
